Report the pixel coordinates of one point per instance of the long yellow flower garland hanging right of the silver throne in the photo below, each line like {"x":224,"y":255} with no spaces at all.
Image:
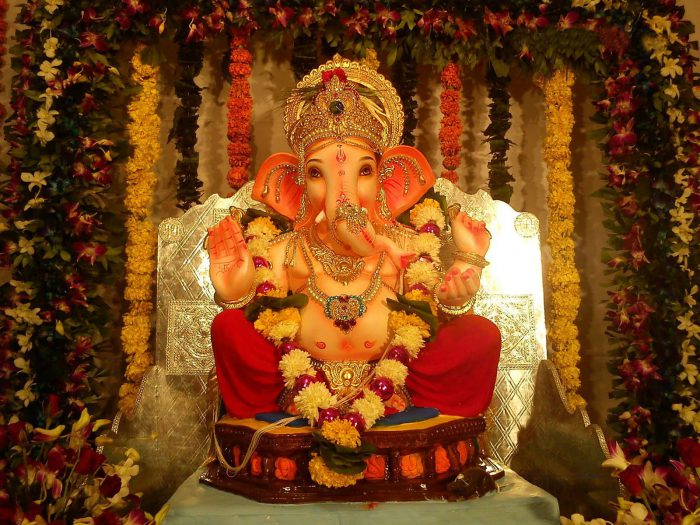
{"x":563,"y":276}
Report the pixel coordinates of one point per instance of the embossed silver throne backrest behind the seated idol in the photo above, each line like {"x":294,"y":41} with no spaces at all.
{"x":173,"y":403}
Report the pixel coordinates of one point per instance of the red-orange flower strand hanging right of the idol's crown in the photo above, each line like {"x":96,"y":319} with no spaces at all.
{"x":451,"y":123}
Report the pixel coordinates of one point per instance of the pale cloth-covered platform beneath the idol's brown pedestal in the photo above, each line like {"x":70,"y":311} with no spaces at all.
{"x":517,"y":502}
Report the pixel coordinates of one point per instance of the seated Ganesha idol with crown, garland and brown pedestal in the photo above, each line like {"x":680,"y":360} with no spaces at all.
{"x":349,"y":361}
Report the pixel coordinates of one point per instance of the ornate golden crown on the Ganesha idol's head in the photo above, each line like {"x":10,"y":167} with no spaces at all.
{"x":343,"y":99}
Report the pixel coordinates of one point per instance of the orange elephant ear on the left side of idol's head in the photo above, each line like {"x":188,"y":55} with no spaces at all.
{"x":276,"y":184}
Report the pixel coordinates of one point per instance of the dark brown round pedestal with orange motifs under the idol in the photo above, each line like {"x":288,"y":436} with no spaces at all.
{"x":419,"y":460}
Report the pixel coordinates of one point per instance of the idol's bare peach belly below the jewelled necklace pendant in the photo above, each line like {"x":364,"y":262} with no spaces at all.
{"x":364,"y":342}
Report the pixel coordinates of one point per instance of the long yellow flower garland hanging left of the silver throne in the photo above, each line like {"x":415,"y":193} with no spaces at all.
{"x":143,"y":131}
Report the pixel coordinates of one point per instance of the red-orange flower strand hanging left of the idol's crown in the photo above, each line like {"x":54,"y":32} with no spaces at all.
{"x":240,"y":106}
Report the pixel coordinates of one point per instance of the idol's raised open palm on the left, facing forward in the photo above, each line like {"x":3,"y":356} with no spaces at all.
{"x":231,"y":266}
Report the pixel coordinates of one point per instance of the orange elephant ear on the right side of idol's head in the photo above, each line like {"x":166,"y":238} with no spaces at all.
{"x":405,"y":176}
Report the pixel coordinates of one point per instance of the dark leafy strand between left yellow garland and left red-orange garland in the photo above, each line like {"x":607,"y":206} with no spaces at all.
{"x":190,"y":58}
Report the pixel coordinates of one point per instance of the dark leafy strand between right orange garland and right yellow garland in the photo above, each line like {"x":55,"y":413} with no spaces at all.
{"x":500,"y":178}
